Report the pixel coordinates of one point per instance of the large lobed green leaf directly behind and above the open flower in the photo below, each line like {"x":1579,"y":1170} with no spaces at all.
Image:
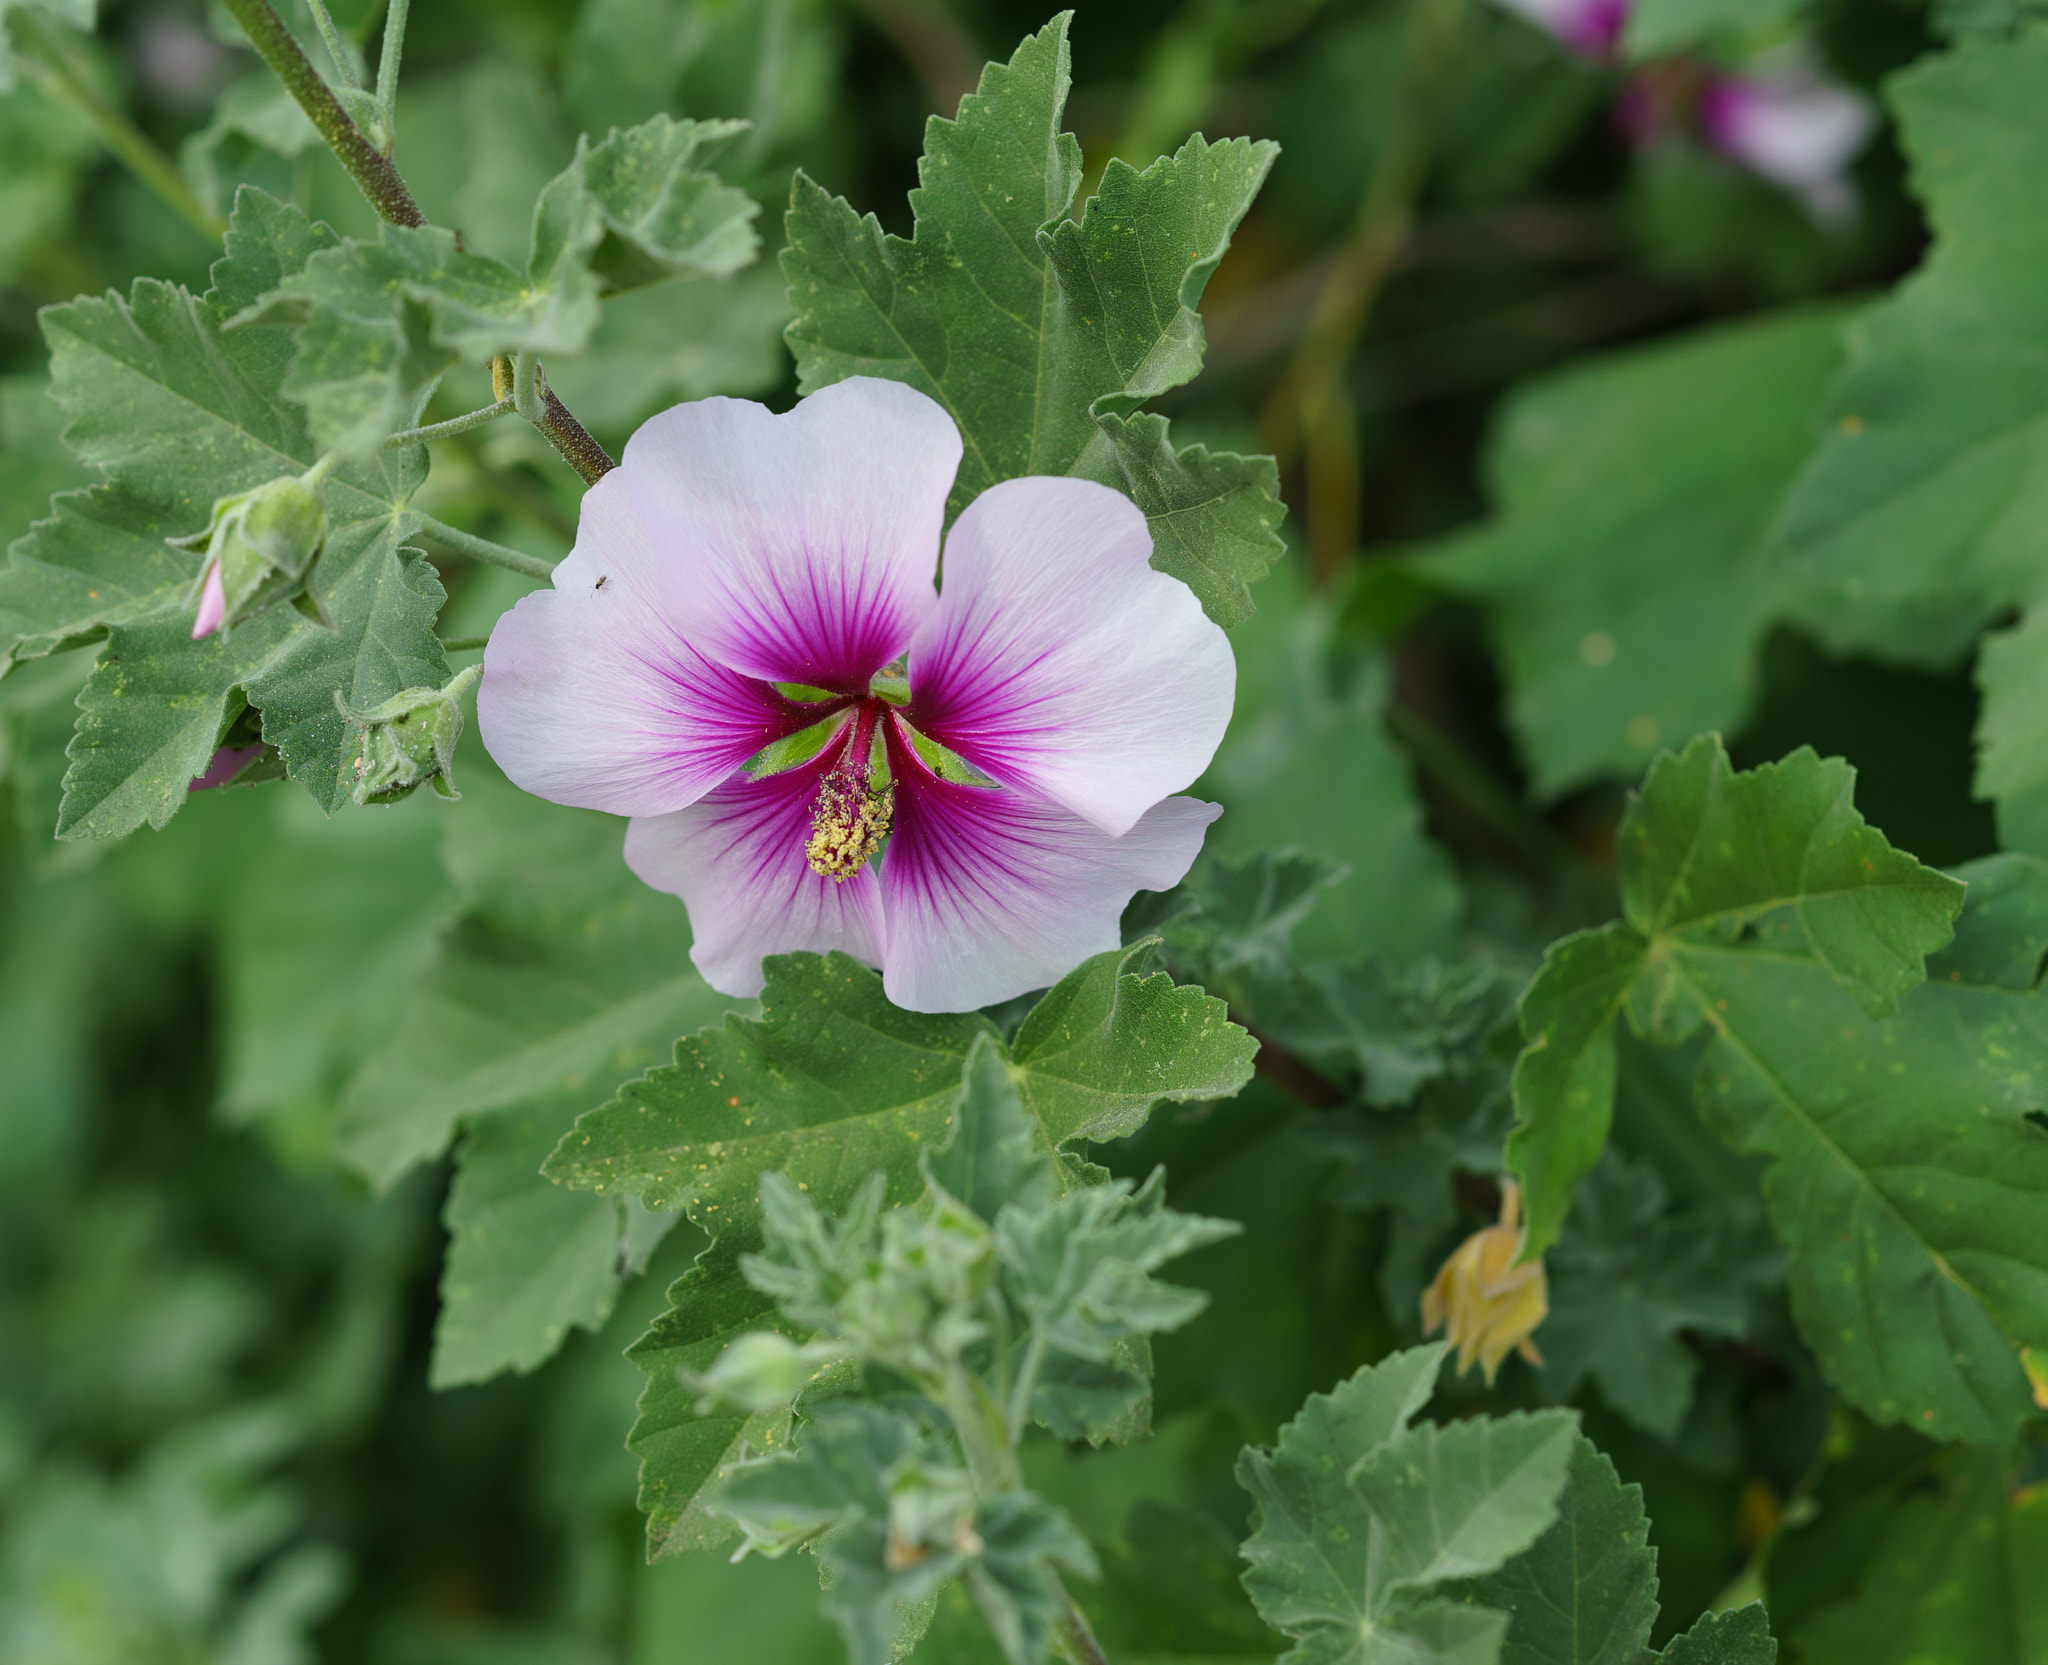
{"x":1043,"y":335}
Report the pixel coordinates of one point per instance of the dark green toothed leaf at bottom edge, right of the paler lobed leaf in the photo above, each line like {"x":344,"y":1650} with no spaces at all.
{"x":1586,"y":1592}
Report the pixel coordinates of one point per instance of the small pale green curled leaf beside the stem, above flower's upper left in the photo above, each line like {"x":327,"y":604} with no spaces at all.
{"x":638,"y":212}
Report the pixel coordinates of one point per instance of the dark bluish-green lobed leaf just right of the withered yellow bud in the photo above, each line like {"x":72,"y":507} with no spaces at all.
{"x":1631,"y":1273}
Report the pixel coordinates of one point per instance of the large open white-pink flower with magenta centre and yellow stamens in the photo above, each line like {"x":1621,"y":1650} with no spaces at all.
{"x":746,"y":654}
